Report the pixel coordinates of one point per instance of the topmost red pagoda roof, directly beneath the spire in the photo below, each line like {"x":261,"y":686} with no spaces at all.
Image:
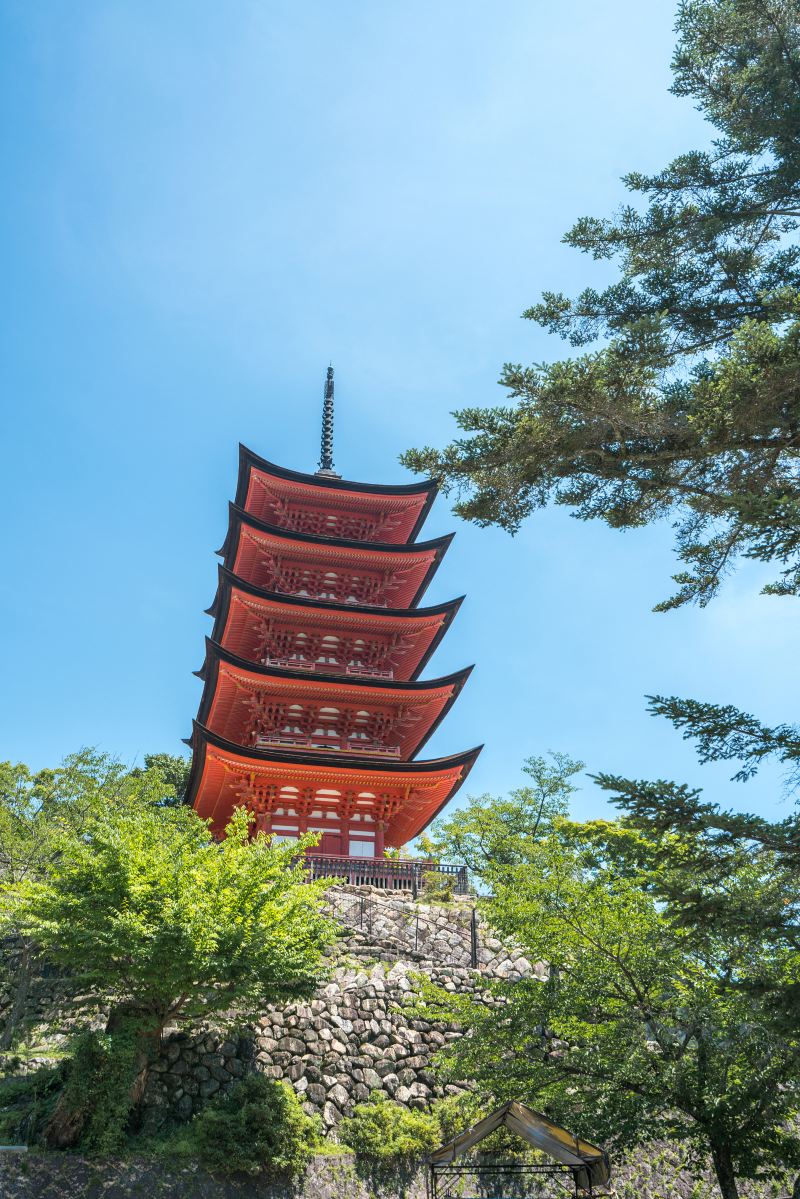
{"x":269,"y":492}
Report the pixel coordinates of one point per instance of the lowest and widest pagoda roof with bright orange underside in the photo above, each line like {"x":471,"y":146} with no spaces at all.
{"x":212,"y":794}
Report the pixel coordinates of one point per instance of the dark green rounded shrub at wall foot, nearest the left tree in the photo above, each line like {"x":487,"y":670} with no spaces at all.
{"x":258,"y":1128}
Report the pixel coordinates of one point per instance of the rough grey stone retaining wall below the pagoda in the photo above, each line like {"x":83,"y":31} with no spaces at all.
{"x":358,"y":1035}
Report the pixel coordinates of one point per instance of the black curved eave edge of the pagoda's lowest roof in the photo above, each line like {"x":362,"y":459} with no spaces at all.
{"x":203,"y":738}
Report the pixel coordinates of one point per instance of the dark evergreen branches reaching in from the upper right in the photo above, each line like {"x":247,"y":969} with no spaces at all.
{"x":691,"y":408}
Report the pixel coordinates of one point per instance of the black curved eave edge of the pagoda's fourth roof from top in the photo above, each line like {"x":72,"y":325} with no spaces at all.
{"x":215,"y":654}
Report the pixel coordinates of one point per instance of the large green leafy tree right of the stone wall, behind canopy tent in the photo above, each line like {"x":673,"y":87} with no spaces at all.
{"x":655,"y":1023}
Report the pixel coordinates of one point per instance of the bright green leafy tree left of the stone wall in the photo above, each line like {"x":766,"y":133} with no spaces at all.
{"x":175,"y":927}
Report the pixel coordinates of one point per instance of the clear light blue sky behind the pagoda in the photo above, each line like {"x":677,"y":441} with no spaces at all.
{"x":207,"y":203}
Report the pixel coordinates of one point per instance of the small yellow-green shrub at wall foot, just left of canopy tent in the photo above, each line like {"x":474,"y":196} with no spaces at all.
{"x":384,"y":1132}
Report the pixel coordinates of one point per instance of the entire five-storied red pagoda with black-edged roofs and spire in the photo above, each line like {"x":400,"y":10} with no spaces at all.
{"x":312,"y":713}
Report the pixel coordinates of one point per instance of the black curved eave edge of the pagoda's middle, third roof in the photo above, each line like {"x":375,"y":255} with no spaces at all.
{"x":228,"y":583}
